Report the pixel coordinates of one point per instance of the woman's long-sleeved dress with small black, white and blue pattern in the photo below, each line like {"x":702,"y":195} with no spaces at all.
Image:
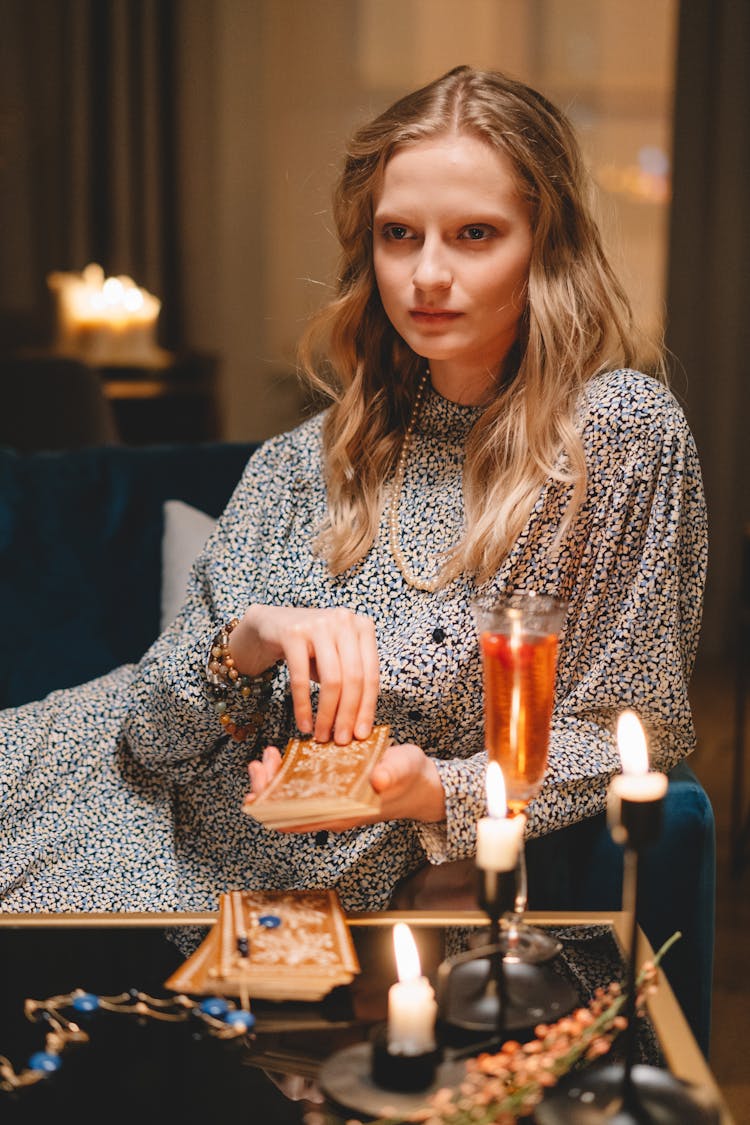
{"x":124,"y":795}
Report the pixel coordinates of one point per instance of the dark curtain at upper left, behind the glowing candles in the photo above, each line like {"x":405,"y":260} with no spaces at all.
{"x":88,"y":157}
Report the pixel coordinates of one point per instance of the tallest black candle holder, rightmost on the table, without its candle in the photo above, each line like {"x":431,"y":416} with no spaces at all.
{"x":628,"y":1094}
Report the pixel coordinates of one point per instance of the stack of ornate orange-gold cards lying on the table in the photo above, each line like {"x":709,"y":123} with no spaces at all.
{"x":273,"y":946}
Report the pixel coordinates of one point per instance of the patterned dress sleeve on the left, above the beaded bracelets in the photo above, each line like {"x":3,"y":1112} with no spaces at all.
{"x":173,"y":724}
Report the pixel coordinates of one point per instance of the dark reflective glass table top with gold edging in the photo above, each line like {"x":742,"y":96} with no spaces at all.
{"x":151,"y":1072}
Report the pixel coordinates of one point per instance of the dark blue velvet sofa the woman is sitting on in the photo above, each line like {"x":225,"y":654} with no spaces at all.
{"x":80,"y":582}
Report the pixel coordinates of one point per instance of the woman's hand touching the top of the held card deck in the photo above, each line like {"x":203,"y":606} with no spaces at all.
{"x":337,"y":649}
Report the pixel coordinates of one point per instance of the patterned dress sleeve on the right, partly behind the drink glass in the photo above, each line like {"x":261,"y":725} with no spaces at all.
{"x":632,"y":569}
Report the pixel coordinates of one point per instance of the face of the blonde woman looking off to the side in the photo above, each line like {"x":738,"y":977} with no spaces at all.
{"x":453,"y":245}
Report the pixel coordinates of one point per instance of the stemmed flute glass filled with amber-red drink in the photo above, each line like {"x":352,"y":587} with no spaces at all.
{"x":519,"y":643}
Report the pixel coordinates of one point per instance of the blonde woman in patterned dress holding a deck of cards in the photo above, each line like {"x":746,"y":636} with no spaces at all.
{"x":489,"y":433}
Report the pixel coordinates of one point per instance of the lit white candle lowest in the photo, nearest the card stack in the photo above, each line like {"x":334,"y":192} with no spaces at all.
{"x":412,"y":1006}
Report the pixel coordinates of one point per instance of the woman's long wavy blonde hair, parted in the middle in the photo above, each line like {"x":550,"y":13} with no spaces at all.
{"x":577,"y":322}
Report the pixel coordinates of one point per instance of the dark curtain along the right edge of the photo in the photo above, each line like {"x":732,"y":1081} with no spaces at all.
{"x":709,"y":284}
